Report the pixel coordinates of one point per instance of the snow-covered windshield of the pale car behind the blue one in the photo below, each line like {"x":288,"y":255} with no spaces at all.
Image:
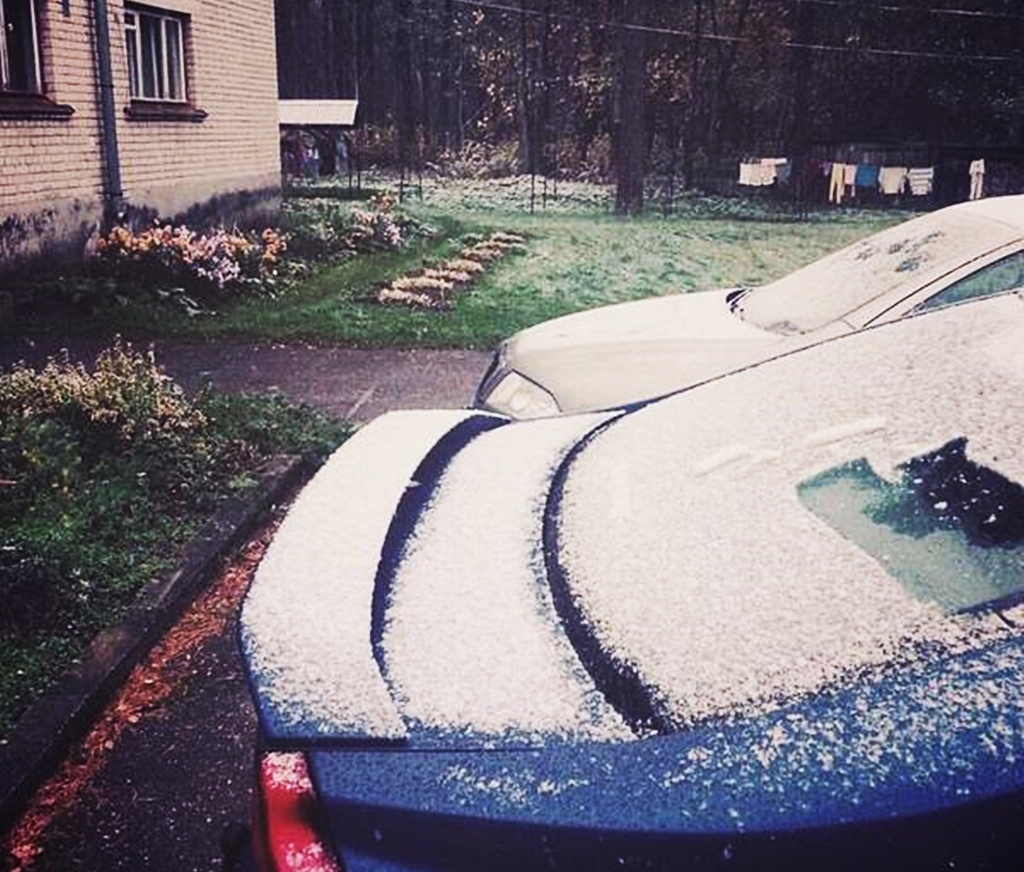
{"x":898,"y":260}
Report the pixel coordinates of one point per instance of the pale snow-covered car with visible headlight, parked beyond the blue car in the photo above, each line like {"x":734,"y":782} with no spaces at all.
{"x":619,"y":355}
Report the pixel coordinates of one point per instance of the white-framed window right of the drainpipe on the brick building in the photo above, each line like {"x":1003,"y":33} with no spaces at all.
{"x":155,"y":45}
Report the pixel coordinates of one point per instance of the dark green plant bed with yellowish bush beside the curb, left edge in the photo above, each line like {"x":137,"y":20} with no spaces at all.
{"x":104,"y":474}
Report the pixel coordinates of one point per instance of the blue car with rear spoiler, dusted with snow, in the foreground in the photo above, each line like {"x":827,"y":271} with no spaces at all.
{"x":774,"y":623}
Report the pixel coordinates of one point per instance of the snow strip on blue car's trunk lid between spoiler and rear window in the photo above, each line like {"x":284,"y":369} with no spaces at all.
{"x":473,"y":644}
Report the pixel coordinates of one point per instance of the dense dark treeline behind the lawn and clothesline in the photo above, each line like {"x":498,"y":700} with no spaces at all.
{"x":669,"y":86}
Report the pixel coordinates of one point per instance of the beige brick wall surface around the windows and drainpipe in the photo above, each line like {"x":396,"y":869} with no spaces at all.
{"x":51,"y":171}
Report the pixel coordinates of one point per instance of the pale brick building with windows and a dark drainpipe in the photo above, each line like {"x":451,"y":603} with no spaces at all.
{"x":115,"y":111}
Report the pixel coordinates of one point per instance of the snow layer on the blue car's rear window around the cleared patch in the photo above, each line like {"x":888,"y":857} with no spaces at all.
{"x":698,"y":566}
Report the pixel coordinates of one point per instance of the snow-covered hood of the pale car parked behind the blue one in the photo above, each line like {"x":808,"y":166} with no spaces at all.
{"x":617,"y":355}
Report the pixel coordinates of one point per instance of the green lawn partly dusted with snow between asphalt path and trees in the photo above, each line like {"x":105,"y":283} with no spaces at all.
{"x":573,"y":263}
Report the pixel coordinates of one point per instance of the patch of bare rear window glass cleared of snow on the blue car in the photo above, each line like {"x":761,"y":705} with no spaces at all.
{"x":950,"y":530}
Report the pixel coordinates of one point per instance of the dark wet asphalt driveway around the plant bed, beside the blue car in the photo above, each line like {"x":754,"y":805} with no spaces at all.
{"x":181,"y":771}
